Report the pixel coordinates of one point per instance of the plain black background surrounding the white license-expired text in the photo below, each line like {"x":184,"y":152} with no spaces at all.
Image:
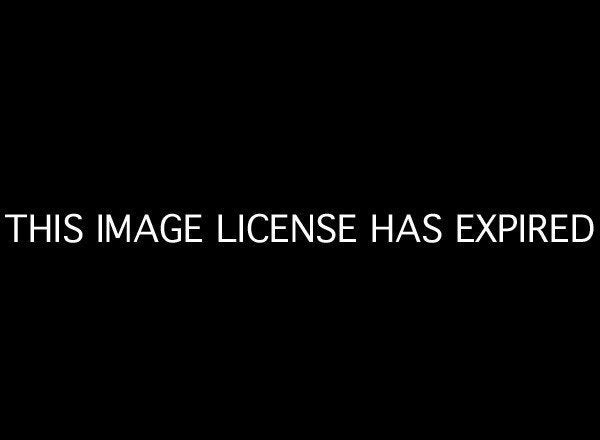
{"x":368,"y":113}
